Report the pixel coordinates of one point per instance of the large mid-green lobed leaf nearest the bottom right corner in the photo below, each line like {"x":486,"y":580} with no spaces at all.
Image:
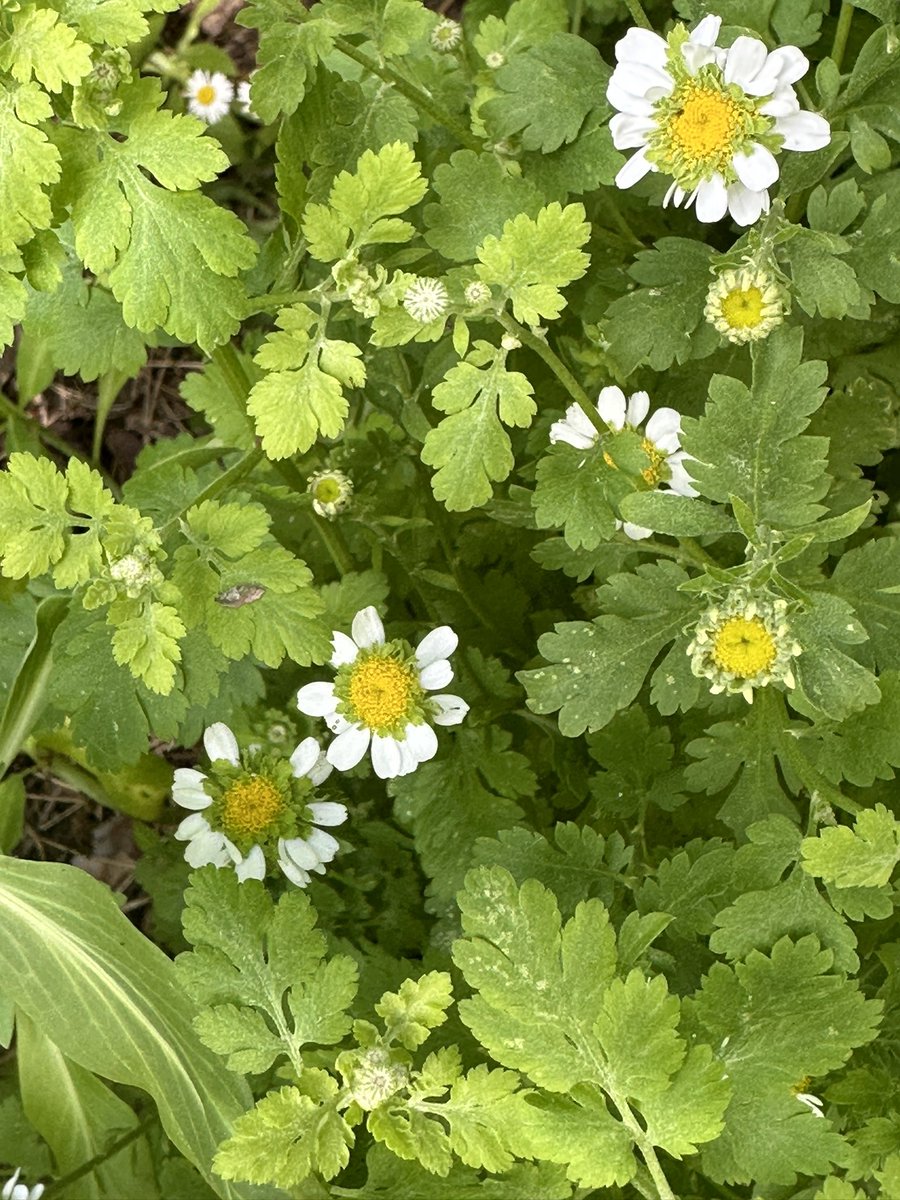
{"x":778,"y":1022}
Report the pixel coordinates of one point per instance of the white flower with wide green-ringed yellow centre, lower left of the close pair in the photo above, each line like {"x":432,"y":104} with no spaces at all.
{"x":256,"y":812}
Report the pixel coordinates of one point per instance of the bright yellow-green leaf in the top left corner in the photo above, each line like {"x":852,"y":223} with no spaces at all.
{"x":43,"y":46}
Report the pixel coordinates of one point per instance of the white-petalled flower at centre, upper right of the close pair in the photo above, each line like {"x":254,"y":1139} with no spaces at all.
{"x":379,"y":698}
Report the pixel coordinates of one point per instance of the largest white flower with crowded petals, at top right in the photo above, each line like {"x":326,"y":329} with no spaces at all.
{"x":712,"y":119}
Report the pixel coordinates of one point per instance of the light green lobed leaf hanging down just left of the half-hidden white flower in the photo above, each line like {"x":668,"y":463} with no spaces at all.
{"x":470,"y":448}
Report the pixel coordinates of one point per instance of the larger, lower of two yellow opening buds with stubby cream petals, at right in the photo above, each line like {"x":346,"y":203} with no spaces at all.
{"x":745,"y":644}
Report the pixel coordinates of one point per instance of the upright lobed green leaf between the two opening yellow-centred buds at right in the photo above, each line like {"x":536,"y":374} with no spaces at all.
{"x":751,"y":441}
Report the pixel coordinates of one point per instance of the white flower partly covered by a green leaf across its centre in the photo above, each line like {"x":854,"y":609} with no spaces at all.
{"x":662,"y":441}
